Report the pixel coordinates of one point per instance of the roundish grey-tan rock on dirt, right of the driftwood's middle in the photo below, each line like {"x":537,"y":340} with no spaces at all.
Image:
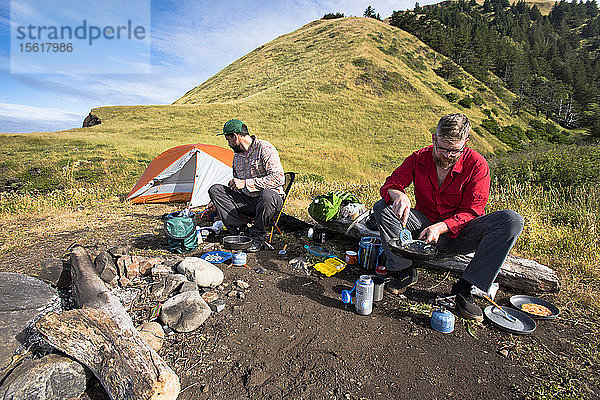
{"x":185,"y":312}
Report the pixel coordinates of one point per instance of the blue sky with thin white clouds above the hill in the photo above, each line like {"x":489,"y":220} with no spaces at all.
{"x":177,"y":45}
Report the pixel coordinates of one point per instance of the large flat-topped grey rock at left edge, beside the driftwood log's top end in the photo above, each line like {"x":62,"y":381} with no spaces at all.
{"x":22,"y":299}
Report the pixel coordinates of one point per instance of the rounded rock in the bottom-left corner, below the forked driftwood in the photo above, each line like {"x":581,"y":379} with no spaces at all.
{"x":50,"y":377}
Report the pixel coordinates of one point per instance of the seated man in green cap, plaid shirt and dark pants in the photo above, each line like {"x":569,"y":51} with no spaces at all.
{"x":256,"y":189}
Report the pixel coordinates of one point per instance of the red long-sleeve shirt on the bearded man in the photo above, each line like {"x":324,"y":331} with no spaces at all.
{"x":461,"y":197}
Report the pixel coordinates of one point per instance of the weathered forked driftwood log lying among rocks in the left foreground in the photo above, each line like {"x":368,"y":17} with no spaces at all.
{"x":102,"y":336}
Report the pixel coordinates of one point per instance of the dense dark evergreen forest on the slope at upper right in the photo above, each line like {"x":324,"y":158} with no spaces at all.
{"x":550,"y":62}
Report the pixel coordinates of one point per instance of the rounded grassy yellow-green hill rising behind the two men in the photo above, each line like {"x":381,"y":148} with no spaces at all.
{"x":341,"y":99}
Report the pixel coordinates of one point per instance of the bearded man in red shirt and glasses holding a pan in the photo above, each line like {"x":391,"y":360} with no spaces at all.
{"x":452,"y":184}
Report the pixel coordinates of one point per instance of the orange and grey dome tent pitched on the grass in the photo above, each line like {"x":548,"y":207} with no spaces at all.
{"x":184,"y":173}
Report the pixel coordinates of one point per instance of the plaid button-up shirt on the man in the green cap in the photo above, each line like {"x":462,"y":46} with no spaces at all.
{"x":259,"y":167}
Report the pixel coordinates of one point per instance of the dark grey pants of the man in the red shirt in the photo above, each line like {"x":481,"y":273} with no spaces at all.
{"x":490,"y":236}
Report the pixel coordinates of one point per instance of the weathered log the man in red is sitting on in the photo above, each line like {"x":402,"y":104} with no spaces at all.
{"x":516,"y":273}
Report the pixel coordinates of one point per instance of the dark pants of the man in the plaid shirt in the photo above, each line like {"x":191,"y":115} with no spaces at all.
{"x":234,"y":208}
